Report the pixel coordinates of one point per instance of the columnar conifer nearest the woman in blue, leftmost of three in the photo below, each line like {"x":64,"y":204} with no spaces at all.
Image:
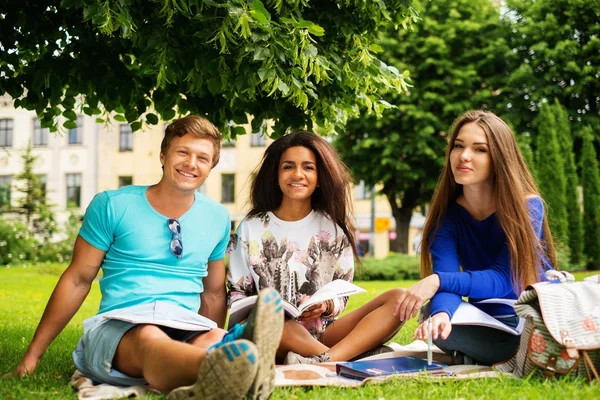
{"x":550,"y":172}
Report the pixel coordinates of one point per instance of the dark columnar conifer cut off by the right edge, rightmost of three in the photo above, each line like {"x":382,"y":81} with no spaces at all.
{"x":590,"y":180}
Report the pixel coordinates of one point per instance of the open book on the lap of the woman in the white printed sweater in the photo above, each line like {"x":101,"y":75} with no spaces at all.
{"x":240,"y":309}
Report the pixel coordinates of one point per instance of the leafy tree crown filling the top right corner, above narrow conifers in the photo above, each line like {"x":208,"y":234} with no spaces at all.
{"x":556,"y":55}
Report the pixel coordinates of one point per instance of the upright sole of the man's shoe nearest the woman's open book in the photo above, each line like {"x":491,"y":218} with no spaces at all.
{"x":264,"y":329}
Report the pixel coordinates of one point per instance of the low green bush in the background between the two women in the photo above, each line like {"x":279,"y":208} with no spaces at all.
{"x":392,"y":268}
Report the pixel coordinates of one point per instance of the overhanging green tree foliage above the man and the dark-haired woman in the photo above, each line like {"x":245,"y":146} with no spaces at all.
{"x":296,"y":62}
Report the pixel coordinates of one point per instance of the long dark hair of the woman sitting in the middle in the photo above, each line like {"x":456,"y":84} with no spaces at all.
{"x":332,"y":196}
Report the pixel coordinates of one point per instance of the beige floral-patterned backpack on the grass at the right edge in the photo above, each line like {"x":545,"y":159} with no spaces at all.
{"x":562,"y":331}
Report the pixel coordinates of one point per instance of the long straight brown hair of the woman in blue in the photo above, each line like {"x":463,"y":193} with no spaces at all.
{"x":512,"y":185}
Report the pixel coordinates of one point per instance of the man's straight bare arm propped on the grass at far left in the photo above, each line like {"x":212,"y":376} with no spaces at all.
{"x":67,"y":297}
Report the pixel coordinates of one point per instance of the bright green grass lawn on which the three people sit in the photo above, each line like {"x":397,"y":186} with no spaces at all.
{"x":25,"y":291}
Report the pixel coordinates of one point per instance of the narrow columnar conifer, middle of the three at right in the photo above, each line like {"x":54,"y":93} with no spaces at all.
{"x":573,"y":207}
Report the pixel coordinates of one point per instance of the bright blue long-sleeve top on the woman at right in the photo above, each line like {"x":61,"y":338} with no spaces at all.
{"x":481,"y":249}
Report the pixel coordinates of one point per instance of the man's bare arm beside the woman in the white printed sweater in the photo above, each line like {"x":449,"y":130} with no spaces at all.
{"x":214,"y":298}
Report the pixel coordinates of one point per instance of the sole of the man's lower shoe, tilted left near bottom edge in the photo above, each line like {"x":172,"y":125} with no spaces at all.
{"x":226,"y":373}
